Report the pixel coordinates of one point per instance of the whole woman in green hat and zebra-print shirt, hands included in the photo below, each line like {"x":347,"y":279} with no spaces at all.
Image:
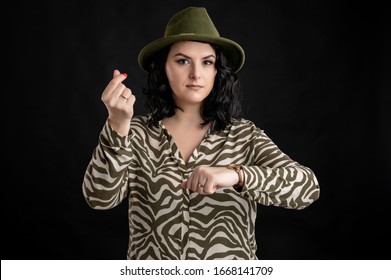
{"x":193,"y":170}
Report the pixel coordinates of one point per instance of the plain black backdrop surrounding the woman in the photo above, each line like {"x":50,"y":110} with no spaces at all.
{"x":316,"y":79}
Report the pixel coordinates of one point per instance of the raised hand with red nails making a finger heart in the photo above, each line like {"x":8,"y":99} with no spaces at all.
{"x":119,"y":102}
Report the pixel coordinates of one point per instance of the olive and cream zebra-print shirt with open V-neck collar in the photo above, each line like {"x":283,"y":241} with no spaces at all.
{"x":170,"y":222}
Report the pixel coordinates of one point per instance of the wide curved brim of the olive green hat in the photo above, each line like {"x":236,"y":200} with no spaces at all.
{"x":232,"y":50}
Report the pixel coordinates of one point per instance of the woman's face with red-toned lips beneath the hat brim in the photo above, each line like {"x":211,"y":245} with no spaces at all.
{"x":191,"y":71}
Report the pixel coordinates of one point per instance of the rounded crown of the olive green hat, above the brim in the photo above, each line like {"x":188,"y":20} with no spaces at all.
{"x":192,"y":20}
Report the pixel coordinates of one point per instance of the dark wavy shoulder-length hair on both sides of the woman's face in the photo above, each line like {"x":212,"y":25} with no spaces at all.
{"x":220,"y":107}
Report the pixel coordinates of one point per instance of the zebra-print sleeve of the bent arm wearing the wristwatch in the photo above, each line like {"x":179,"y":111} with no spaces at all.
{"x":276,"y":179}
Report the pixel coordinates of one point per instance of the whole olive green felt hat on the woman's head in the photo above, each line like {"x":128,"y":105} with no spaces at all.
{"x":194,"y":24}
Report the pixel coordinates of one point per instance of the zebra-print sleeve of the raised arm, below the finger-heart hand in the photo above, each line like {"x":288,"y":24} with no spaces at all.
{"x":105,"y":182}
